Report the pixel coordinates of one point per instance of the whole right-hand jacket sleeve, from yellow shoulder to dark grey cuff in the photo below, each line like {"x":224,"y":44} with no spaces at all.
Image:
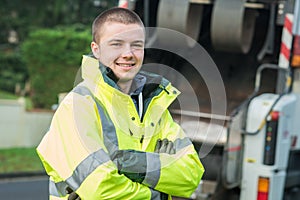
{"x":176,"y":174}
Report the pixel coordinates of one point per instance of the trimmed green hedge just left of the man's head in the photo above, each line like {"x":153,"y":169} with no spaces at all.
{"x":53,"y":59}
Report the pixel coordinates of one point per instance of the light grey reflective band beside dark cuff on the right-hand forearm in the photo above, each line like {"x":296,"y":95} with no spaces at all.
{"x":153,"y":170}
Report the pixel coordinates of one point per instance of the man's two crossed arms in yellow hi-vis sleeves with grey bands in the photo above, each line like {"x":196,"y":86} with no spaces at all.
{"x":62,"y":160}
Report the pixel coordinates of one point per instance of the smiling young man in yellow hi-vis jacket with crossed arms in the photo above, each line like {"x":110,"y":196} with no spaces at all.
{"x":113,"y":137}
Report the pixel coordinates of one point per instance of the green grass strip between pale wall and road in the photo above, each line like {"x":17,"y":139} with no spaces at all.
{"x":18,"y":160}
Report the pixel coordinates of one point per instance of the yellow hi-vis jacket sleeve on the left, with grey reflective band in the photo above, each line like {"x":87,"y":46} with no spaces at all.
{"x":73,"y":155}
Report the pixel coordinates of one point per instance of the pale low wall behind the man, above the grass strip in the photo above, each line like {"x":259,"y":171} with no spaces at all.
{"x":19,"y":128}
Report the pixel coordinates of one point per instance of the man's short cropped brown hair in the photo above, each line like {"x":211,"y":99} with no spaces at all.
{"x":116,"y":14}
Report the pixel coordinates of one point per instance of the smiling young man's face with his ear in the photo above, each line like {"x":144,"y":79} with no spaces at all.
{"x":121,"y":48}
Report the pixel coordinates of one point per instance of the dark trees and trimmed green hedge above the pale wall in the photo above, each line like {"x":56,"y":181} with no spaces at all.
{"x":18,"y":19}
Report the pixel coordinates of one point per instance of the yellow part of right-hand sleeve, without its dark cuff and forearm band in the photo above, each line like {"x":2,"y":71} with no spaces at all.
{"x":181,"y":172}
